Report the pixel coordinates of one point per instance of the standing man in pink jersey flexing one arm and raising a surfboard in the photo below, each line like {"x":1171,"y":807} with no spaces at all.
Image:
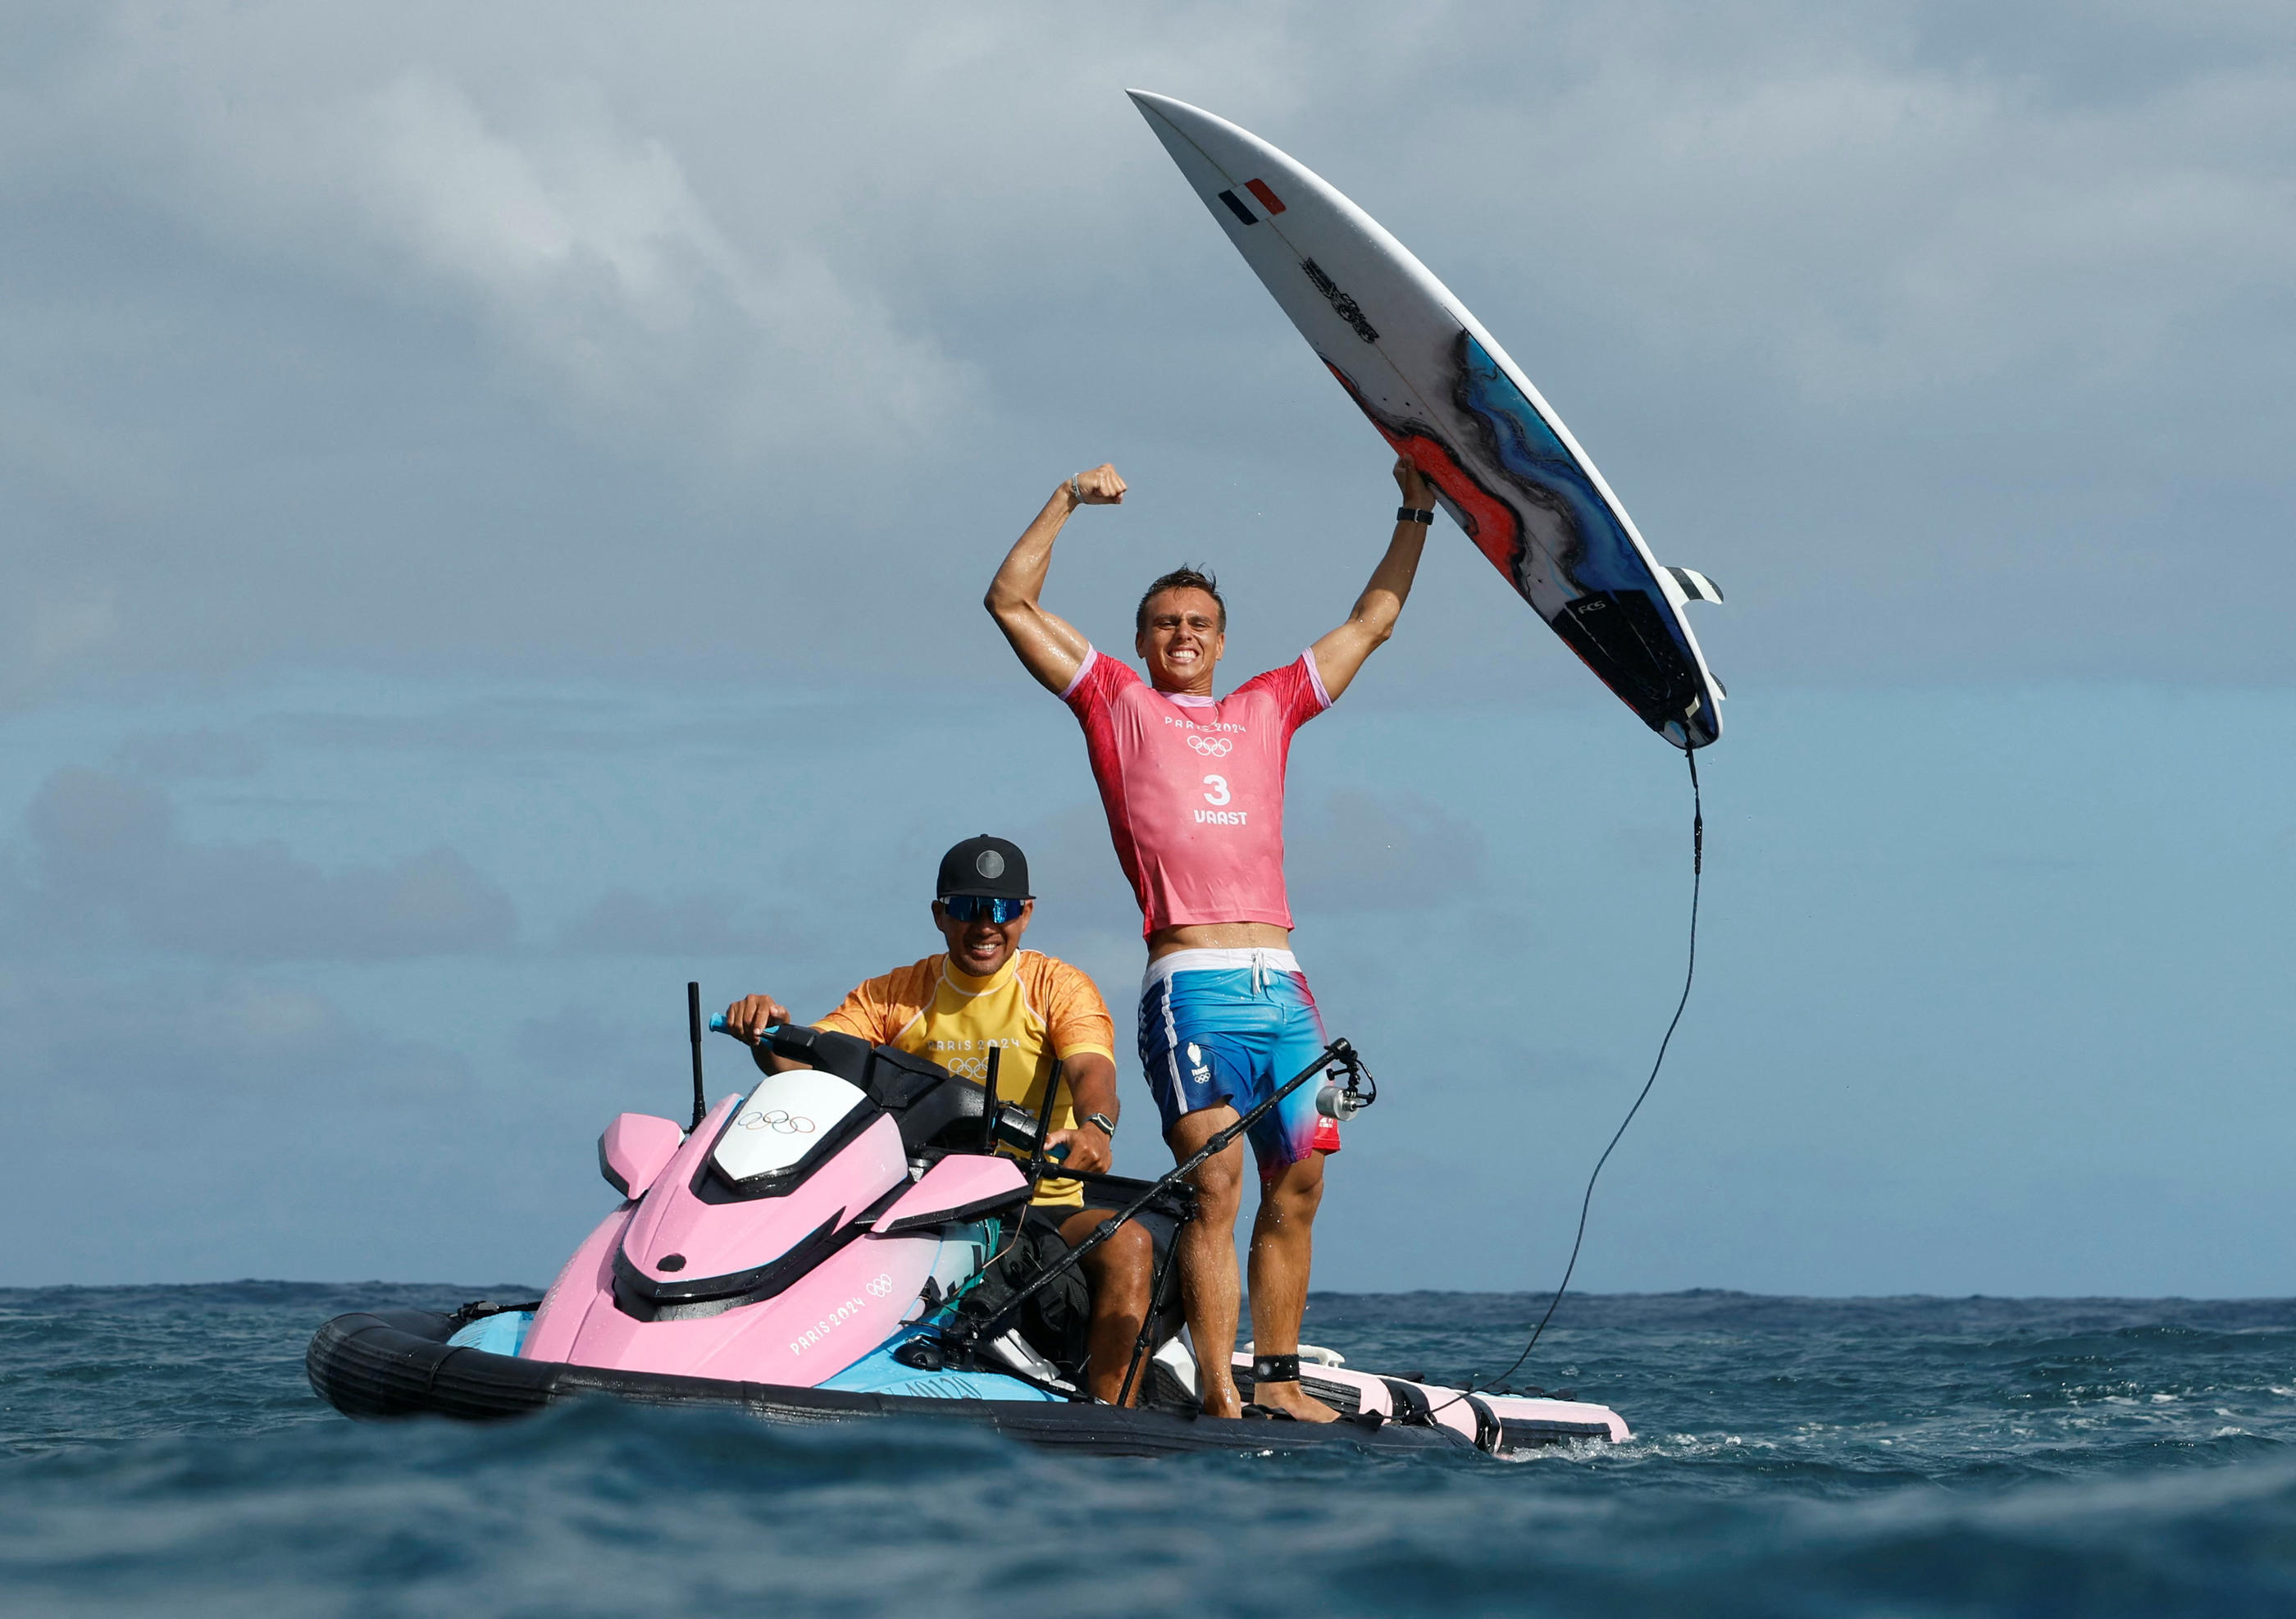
{"x":1195,"y":798}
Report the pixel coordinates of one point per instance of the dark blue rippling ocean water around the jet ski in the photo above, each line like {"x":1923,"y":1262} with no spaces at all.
{"x":160,"y":1453}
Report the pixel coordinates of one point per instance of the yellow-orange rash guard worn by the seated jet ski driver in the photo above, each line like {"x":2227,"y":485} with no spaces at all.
{"x":1034,"y":1009}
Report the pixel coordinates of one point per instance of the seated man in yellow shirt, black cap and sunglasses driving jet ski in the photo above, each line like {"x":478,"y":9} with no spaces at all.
{"x":986,"y":993}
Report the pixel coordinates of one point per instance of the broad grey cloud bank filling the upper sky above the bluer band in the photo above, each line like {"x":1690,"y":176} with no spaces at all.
{"x":584,"y":339}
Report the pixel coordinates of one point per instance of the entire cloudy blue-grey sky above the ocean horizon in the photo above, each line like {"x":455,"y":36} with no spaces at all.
{"x":495,"y":511}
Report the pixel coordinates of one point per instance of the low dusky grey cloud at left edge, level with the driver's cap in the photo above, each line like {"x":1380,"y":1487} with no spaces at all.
{"x":107,"y":855}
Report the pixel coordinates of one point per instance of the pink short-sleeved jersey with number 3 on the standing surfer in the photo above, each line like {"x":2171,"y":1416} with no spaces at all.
{"x":1195,"y":789}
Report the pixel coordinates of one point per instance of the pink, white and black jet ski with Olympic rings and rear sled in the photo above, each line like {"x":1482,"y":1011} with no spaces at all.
{"x":821,"y":1250}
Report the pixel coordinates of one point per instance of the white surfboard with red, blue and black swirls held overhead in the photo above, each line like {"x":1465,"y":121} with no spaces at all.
{"x":1445,"y":394}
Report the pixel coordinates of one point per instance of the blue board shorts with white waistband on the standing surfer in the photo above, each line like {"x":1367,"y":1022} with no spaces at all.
{"x":1234,"y":1028}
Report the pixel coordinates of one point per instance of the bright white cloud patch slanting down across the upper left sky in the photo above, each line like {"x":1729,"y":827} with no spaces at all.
{"x":587,"y":251}
